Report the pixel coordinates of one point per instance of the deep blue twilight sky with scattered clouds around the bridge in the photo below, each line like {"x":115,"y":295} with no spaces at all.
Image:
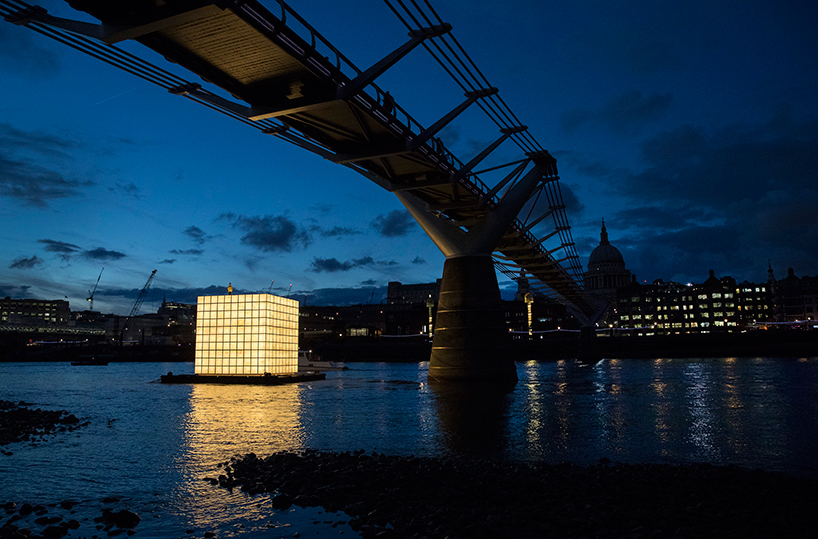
{"x":691,"y":127}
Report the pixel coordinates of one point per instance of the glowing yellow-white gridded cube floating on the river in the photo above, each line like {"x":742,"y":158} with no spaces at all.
{"x":248,"y":334}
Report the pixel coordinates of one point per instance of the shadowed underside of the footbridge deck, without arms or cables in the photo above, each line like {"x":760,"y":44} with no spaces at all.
{"x":266,"y":66}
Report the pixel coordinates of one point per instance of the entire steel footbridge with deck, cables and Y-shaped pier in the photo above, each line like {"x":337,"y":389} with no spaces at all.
{"x":262,"y":64}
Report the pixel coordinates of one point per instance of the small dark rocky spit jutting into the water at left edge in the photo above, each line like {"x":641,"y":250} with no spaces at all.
{"x":20,"y":423}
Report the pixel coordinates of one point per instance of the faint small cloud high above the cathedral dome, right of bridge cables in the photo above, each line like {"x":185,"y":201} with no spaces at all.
{"x":626,"y":113}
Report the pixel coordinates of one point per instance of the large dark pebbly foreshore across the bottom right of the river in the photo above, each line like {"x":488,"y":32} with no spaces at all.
{"x":390,"y":496}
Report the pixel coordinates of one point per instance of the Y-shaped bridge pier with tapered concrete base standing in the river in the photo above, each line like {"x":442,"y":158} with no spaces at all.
{"x":471,"y":341}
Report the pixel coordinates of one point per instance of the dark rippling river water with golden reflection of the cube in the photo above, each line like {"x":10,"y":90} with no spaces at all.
{"x":153,"y":444}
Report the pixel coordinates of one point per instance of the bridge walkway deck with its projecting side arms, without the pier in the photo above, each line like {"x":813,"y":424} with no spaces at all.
{"x":278,"y":74}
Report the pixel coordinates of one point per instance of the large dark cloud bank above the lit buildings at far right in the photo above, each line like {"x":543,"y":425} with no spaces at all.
{"x":726,"y":199}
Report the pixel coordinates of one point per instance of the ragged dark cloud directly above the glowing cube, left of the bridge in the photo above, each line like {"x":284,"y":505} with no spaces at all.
{"x":269,"y":233}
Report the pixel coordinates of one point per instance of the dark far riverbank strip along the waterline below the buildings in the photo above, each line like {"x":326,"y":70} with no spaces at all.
{"x":412,"y":349}
